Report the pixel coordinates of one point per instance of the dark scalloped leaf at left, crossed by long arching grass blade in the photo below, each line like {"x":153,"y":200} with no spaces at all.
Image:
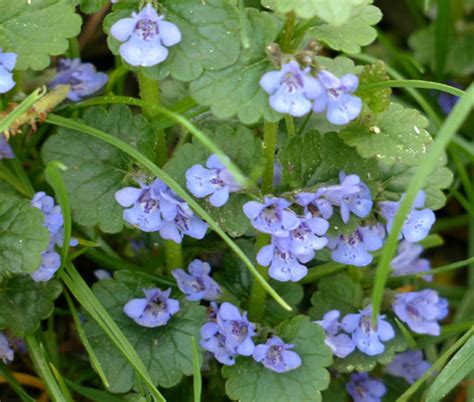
{"x":96,"y":170}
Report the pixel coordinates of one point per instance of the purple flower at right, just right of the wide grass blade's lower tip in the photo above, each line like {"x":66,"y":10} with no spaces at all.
{"x":421,"y":310}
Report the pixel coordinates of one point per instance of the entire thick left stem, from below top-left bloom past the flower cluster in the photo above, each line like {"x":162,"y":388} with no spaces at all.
{"x":149,"y":92}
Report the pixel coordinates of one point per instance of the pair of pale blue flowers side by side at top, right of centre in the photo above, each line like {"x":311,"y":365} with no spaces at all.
{"x":295,"y":92}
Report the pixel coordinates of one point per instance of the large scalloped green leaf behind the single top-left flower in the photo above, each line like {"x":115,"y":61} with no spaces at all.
{"x":210,"y":39}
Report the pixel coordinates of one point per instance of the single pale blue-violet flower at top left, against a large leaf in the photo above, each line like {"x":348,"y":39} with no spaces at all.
{"x":146,"y":36}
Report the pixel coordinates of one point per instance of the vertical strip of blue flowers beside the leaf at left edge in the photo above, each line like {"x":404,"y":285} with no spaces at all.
{"x":53,"y":221}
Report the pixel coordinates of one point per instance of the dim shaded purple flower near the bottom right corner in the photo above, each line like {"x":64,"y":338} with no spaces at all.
{"x":409,"y":365}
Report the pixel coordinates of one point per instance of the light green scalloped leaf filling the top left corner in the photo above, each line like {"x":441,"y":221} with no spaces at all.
{"x":38,"y":30}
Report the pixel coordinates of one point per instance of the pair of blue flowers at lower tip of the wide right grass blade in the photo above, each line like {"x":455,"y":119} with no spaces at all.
{"x":359,"y":332}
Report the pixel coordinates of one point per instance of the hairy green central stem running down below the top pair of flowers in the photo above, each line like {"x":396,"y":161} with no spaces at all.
{"x":257,"y":293}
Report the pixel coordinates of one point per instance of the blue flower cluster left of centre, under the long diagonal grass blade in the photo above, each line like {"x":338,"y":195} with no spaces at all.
{"x":156,"y":207}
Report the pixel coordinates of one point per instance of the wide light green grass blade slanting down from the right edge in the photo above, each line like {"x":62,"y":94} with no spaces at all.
{"x":447,"y":131}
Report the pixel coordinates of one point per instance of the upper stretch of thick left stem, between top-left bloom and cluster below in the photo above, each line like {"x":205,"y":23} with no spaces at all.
{"x":150,"y":94}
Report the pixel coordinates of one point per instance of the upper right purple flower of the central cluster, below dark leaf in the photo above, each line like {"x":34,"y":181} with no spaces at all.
{"x":352,"y":195}
